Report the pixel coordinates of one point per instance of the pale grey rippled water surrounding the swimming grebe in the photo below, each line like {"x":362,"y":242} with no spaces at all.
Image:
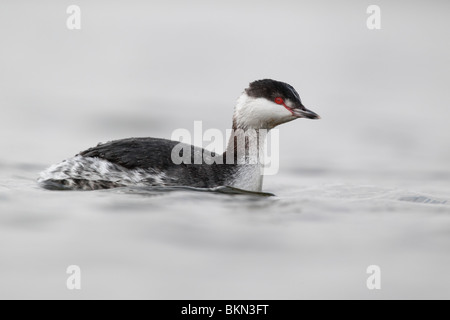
{"x":369,"y":184}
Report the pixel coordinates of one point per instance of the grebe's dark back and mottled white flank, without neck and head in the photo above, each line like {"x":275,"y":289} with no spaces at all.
{"x":133,"y":162}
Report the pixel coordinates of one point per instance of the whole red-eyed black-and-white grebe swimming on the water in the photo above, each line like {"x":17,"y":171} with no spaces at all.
{"x":150,"y":161}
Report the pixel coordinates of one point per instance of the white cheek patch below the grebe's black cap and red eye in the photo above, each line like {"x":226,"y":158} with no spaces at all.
{"x":260,"y":113}
